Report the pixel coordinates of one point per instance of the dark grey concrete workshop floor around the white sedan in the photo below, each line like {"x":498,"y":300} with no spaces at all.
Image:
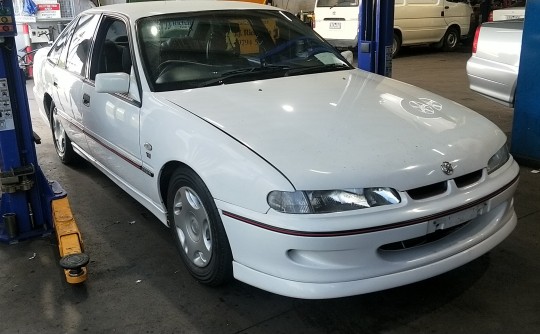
{"x":138,"y":285}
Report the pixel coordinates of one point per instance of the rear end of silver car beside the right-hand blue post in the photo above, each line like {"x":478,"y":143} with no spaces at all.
{"x":494,"y":65}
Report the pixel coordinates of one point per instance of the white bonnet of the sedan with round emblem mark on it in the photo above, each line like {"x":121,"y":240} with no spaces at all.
{"x":347,"y":129}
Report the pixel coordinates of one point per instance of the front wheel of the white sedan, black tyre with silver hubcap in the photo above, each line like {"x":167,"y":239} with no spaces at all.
{"x":197,"y":229}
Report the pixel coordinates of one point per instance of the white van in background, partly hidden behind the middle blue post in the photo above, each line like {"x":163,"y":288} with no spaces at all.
{"x":439,"y":22}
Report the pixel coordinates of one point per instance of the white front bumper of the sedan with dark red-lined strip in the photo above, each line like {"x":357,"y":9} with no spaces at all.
{"x":316,"y":264}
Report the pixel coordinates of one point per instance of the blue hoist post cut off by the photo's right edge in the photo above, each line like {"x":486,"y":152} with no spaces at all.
{"x":526,"y":124}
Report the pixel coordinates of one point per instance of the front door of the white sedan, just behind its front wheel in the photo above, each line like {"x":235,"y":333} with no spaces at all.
{"x":111,"y":121}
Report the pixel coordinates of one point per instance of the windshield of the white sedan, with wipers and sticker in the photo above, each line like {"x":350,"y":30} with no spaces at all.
{"x":191,"y":50}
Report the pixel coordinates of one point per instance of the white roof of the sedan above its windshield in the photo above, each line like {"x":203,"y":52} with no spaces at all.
{"x":138,"y":10}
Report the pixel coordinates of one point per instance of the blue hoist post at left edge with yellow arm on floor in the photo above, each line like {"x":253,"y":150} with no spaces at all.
{"x":30,"y":205}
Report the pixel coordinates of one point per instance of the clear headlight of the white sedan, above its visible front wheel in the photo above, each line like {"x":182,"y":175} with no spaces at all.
{"x":327,"y":201}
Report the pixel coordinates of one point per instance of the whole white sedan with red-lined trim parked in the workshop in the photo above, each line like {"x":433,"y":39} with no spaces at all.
{"x":271,"y":158}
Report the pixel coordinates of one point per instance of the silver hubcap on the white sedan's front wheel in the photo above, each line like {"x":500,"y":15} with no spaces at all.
{"x":192,"y":225}
